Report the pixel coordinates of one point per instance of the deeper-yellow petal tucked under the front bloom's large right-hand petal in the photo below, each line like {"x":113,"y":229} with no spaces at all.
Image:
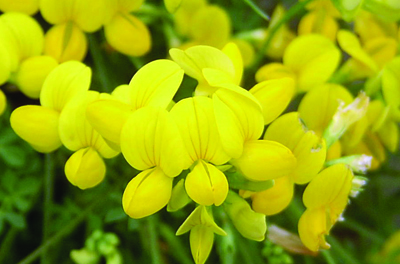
{"x":275,"y":199}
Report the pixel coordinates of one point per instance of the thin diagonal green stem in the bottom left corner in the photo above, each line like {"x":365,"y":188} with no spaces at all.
{"x":63,"y":232}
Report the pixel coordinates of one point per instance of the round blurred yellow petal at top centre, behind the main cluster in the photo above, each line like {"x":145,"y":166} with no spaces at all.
{"x":211,"y":26}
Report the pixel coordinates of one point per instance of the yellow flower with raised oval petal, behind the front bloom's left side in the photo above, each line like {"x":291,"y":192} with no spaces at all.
{"x":154,"y":84}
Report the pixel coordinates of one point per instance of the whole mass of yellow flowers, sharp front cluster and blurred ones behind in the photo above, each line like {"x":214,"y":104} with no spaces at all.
{"x":227,"y":146}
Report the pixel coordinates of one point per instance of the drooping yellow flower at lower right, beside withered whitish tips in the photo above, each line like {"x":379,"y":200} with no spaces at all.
{"x":325,"y":198}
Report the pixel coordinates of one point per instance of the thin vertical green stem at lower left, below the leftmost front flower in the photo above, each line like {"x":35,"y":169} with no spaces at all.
{"x":48,"y":201}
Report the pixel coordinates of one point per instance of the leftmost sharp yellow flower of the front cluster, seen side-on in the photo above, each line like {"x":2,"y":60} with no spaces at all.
{"x":38,"y":125}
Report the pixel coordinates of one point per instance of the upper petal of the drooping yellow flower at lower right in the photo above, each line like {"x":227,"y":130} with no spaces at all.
{"x":330,"y":187}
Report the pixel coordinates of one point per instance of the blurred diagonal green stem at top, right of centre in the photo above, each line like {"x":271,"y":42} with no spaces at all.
{"x":294,"y":10}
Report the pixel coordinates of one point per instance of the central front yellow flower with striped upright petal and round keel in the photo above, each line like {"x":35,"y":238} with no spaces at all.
{"x":205,"y":184}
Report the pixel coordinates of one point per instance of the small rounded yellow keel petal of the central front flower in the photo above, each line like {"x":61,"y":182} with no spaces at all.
{"x":206,"y":185}
